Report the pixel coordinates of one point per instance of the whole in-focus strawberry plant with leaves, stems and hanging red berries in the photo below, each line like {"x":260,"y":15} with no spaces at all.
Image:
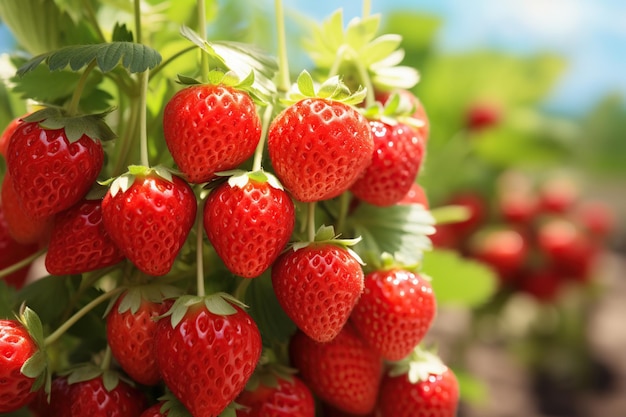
{"x":184,"y":211}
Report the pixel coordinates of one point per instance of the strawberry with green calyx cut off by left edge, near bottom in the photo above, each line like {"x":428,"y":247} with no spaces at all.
{"x":22,"y":362}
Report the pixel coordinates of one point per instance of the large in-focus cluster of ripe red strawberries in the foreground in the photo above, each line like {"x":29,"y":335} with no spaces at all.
{"x":358,"y":315}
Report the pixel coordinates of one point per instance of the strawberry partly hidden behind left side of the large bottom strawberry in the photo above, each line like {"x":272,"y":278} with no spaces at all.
{"x":130,"y":331}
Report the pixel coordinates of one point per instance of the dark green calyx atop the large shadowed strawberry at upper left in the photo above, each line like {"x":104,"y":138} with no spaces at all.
{"x":92,"y":125}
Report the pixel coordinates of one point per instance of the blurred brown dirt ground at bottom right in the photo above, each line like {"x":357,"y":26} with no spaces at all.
{"x":512,"y":390}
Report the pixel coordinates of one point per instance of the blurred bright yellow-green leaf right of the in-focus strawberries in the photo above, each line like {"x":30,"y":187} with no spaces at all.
{"x":457,"y":280}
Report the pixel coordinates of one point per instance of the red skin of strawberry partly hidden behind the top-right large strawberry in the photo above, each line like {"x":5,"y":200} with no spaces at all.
{"x":397,"y":158}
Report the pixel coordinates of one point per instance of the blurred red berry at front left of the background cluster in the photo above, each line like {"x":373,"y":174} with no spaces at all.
{"x":505,"y":250}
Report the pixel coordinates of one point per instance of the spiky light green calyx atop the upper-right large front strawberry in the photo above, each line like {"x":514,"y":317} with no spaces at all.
{"x":332,"y":89}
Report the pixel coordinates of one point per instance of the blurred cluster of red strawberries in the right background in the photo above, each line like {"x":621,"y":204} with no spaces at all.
{"x":539,"y":236}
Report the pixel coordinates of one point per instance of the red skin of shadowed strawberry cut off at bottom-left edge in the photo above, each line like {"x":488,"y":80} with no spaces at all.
{"x":90,"y":398}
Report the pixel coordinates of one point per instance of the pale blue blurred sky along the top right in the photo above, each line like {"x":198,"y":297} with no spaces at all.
{"x":590,"y":34}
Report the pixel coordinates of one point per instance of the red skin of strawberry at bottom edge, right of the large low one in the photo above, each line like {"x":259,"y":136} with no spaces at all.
{"x":289,"y":399}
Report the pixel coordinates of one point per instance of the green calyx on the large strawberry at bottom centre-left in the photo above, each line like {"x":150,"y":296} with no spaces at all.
{"x":220,"y":303}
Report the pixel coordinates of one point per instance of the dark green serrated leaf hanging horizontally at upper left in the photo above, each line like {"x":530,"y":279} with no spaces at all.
{"x":133,"y":57}
